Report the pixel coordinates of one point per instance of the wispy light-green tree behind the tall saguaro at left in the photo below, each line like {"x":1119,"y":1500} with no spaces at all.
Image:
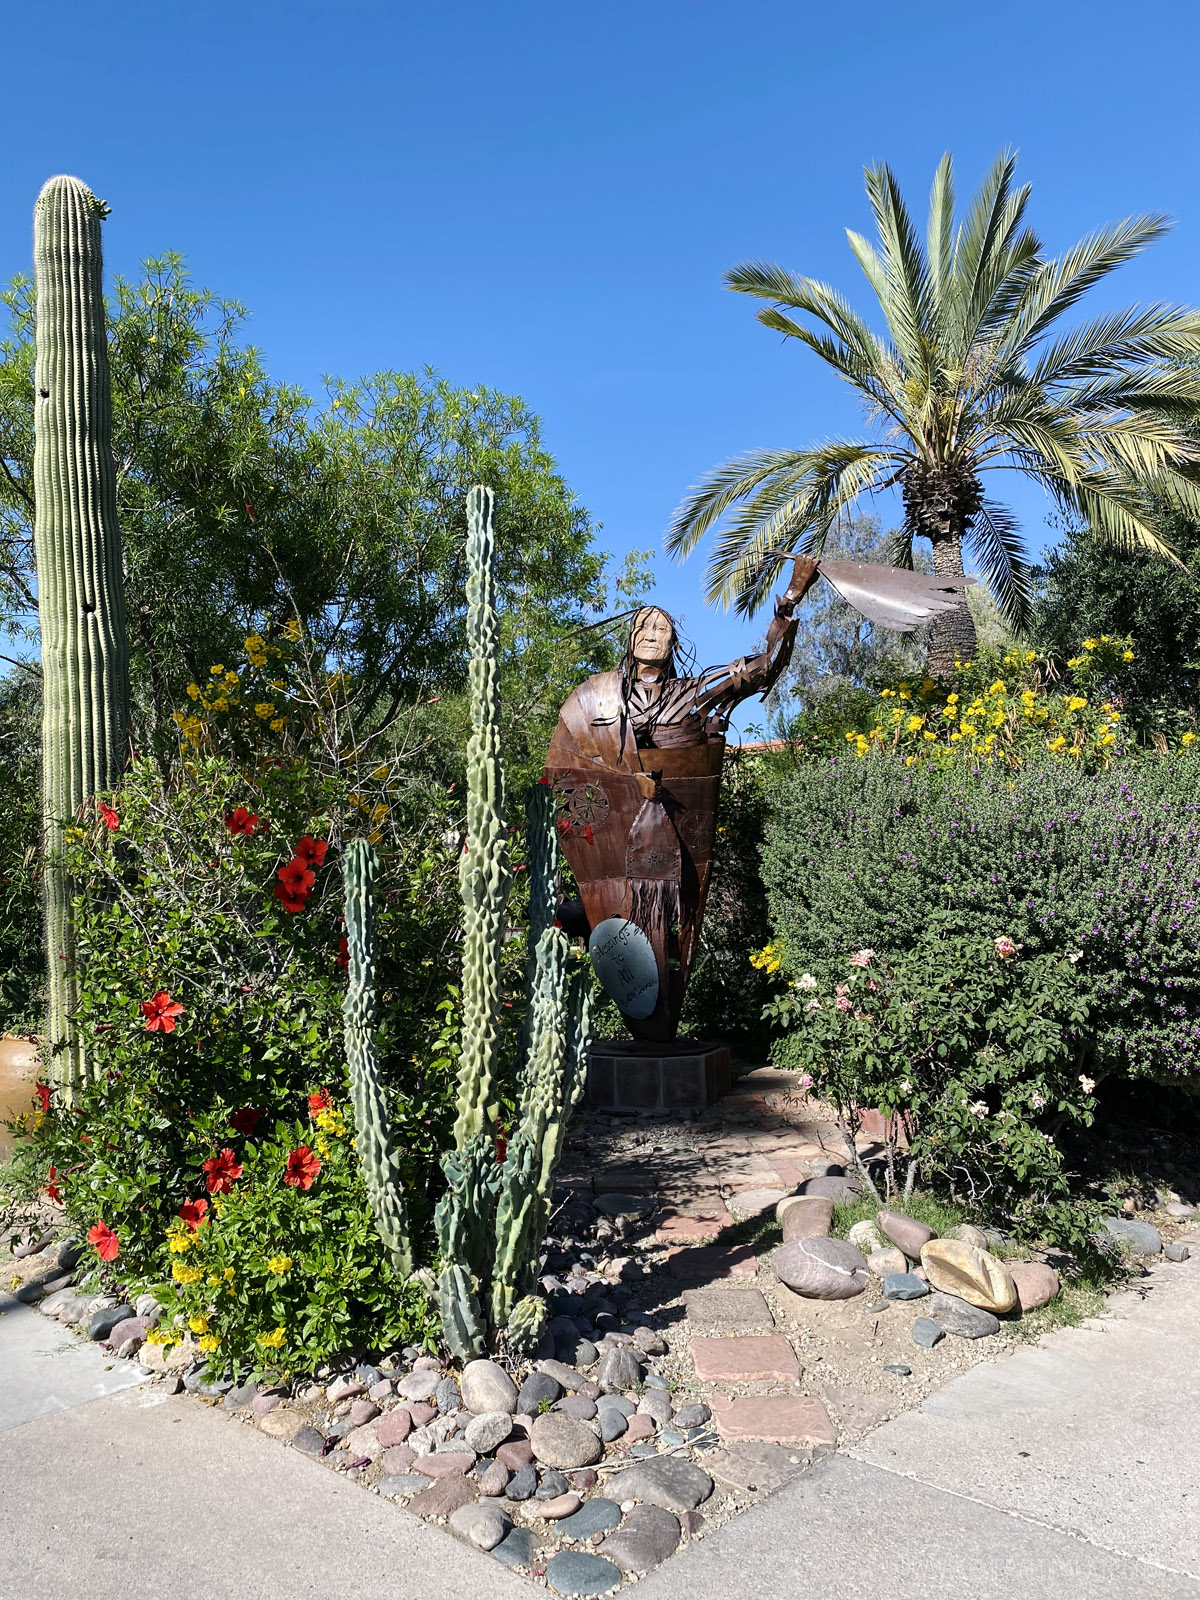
{"x":244,"y":500}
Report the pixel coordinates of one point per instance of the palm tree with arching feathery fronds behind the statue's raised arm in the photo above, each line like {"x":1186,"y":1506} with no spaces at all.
{"x":970,"y":377}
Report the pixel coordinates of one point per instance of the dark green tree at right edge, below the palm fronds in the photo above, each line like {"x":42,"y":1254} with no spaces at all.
{"x":1090,"y":590}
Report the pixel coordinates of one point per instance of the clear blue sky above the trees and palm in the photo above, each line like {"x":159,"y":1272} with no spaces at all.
{"x":545,"y":196}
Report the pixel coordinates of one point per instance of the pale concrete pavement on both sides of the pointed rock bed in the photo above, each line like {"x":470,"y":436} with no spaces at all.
{"x":1066,"y":1471}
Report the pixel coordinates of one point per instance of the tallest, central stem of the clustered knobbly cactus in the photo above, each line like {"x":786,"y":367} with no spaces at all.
{"x":486,"y":878}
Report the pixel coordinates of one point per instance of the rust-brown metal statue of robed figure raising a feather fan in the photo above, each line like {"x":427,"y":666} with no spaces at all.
{"x":636,"y":766}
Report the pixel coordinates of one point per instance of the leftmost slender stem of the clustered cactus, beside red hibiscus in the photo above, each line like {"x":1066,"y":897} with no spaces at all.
{"x":380,"y":1166}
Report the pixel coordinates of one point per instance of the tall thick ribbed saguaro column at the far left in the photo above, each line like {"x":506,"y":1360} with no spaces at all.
{"x":79,"y":561}
